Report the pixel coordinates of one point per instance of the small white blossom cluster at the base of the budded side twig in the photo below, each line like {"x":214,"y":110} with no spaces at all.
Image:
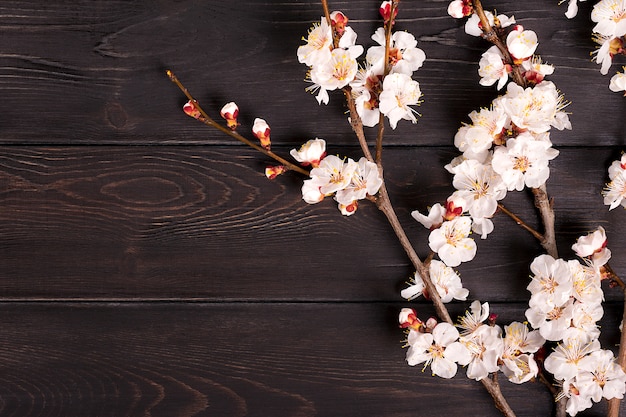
{"x":348,"y":180}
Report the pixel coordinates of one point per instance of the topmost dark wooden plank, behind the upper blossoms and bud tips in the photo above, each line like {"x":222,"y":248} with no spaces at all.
{"x":94,"y":72}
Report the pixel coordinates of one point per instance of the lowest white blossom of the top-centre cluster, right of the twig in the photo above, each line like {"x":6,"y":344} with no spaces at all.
{"x":399,"y":92}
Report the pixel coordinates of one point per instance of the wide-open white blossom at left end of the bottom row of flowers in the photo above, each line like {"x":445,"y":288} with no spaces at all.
{"x":439,"y":349}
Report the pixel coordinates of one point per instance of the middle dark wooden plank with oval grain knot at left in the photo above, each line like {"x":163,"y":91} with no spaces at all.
{"x":175,"y":222}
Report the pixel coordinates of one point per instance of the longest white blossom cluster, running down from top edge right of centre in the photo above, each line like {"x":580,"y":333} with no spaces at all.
{"x":506,"y":147}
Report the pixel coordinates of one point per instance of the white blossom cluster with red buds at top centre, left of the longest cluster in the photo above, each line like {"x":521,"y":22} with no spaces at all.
{"x":378,"y":86}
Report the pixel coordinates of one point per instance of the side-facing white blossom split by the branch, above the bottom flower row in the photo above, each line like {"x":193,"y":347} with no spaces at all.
{"x":446,"y":280}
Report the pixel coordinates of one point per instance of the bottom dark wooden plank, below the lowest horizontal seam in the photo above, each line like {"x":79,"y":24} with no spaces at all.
{"x":229,"y":360}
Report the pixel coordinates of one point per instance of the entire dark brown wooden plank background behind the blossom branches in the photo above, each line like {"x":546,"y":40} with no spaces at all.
{"x":148,"y":268}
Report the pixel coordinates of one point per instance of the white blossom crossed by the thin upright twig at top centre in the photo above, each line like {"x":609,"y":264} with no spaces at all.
{"x":404,"y":55}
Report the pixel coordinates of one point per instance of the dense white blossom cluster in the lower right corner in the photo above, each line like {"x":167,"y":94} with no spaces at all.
{"x":565,"y":307}
